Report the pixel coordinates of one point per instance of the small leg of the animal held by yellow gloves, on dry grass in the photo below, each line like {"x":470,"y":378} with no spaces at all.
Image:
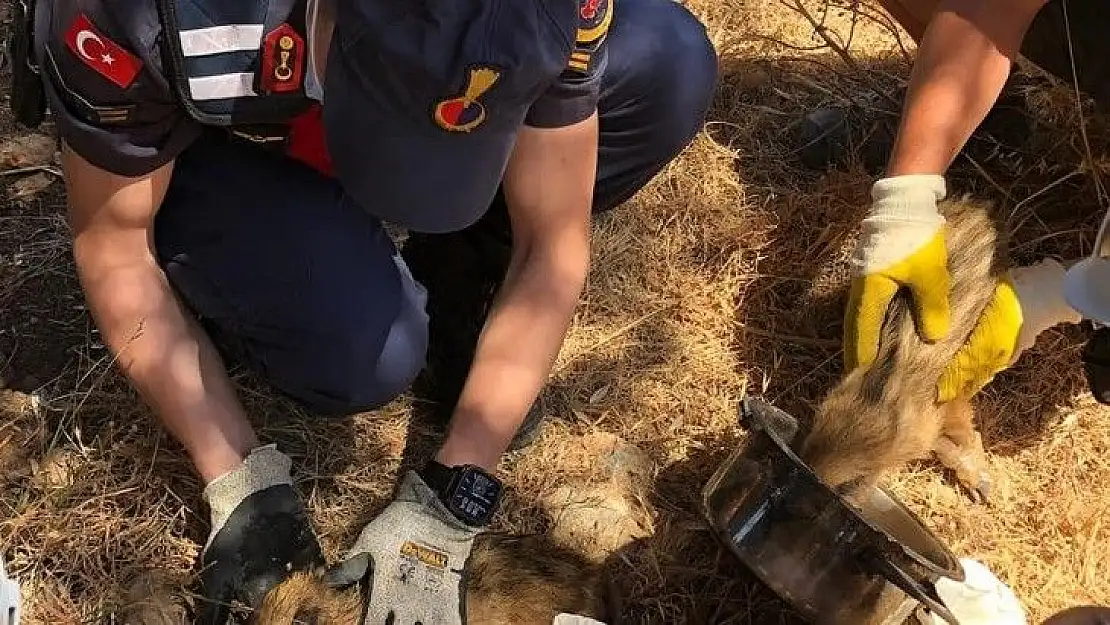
{"x":960,"y":448}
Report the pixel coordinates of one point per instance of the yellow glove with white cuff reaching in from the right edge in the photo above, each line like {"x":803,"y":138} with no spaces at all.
{"x":1027,"y":301}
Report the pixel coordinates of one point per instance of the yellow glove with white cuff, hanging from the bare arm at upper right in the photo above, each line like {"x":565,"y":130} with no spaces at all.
{"x":902,"y":245}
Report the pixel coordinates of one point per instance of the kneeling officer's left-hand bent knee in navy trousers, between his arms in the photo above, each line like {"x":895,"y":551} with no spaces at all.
{"x":292,"y":279}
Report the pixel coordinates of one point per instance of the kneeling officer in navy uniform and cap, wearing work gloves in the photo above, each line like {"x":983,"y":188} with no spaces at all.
{"x":230,"y":167}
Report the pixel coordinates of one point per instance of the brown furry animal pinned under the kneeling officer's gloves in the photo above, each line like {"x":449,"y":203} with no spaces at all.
{"x":519,"y":580}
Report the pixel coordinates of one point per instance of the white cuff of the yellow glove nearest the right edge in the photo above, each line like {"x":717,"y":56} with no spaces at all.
{"x":1040,"y":289}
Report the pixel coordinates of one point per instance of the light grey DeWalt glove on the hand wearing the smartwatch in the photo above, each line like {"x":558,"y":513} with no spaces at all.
{"x":416,"y":553}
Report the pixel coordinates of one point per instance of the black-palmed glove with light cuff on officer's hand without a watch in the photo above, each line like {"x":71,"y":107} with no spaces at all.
{"x":261,"y":533}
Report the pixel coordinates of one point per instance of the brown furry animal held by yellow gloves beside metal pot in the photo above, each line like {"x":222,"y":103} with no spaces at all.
{"x":886,"y":416}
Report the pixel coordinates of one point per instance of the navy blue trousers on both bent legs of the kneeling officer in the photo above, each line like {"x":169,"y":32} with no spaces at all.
{"x":296,"y":281}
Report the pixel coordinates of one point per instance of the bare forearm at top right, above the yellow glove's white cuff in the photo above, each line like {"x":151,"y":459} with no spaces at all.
{"x":963,"y":64}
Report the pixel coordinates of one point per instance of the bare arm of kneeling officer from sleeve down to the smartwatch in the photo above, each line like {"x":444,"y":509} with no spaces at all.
{"x":549,"y":188}
